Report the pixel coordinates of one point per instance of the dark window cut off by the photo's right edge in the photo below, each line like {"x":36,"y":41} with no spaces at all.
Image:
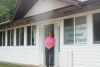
{"x":96,"y":28}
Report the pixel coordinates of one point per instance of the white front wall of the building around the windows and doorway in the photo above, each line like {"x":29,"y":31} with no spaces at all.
{"x":77,"y":55}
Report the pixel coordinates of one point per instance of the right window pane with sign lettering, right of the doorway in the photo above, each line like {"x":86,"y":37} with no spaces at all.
{"x":80,"y":30}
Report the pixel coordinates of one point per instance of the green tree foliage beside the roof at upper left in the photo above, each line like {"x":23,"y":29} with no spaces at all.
{"x":7,"y":8}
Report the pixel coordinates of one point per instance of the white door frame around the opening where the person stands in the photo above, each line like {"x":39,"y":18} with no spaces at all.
{"x":57,"y":26}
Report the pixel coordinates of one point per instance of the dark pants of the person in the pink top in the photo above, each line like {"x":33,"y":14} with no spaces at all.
{"x":49,"y":54}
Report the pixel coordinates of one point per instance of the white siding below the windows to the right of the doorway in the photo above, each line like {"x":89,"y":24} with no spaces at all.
{"x":80,"y":56}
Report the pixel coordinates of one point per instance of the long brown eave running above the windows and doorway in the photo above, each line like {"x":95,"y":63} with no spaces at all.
{"x":61,"y":12}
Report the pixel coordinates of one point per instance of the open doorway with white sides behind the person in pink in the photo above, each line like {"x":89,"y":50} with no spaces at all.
{"x":55,"y":29}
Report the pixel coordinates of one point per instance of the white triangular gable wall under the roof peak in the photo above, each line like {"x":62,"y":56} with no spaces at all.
{"x":44,"y":6}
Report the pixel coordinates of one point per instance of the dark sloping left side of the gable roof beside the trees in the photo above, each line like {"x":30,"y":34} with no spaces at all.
{"x":23,"y":7}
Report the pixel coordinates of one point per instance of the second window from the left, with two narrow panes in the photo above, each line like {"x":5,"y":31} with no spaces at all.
{"x":10,"y":37}
